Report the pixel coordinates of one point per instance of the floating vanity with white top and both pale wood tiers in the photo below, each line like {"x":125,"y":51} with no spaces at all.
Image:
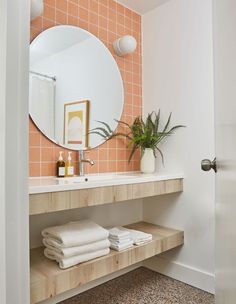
{"x":47,"y":279}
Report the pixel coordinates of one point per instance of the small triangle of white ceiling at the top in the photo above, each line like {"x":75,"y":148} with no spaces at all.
{"x":142,"y":6}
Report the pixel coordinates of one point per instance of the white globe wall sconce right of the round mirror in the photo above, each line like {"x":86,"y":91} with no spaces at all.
{"x":125,"y":45}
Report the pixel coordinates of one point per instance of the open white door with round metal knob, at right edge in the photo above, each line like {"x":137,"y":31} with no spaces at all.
{"x":225,"y":128}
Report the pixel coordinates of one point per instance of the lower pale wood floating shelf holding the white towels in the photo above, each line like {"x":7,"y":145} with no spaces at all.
{"x":48,"y":280}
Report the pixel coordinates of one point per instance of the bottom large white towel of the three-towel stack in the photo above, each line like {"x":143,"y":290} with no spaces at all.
{"x":72,"y":261}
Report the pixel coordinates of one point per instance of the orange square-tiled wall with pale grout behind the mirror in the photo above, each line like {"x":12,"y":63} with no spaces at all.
{"x":108,"y":20}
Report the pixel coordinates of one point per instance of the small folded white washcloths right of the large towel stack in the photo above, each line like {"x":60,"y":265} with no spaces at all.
{"x":122,"y":238}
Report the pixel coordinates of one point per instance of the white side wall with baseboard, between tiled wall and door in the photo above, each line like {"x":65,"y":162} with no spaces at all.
{"x":178,"y":77}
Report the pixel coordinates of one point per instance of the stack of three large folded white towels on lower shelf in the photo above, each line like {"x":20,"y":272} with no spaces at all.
{"x":75,"y":242}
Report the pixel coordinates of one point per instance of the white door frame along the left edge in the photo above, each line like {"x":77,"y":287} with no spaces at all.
{"x":14,"y":214}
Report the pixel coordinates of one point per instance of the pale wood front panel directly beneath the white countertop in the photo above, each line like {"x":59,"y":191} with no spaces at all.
{"x":64,"y":200}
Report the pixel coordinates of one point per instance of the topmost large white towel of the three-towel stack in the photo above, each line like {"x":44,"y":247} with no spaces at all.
{"x":75,"y":234}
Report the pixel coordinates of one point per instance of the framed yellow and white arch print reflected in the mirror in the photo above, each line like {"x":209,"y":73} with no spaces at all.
{"x":76,"y":124}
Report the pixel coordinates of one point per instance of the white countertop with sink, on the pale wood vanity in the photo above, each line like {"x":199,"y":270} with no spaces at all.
{"x":53,"y":184}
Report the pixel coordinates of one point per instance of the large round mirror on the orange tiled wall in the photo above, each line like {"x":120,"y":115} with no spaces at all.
{"x":74,"y":83}
